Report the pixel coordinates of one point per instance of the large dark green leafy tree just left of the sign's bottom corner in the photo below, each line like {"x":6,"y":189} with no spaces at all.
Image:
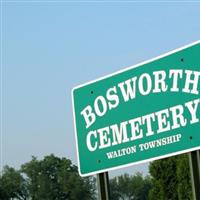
{"x":54,"y":178}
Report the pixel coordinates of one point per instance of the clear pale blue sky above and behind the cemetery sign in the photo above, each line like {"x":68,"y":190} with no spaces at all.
{"x":48,"y":47}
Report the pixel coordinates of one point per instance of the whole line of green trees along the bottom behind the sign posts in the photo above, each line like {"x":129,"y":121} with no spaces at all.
{"x":54,"y":178}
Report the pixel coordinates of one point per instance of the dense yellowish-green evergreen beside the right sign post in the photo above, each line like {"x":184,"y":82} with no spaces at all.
{"x":171,"y":179}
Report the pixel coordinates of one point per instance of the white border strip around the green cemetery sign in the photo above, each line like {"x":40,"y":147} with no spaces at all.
{"x":110,"y":75}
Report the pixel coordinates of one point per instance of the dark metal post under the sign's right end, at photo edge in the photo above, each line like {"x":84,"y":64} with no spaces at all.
{"x":194,"y":159}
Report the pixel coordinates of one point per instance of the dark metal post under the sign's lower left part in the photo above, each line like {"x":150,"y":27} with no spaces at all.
{"x":103,"y":186}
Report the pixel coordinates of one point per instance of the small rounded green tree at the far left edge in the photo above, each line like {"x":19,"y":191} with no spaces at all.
{"x":12,"y":185}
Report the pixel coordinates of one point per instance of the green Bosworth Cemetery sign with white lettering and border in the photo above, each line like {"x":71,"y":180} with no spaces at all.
{"x":145,"y":112}
